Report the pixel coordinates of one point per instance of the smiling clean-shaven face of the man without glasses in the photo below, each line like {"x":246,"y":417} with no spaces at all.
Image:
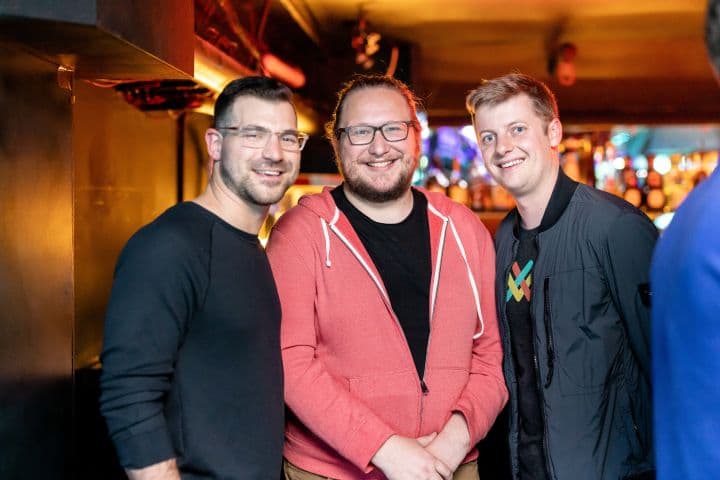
{"x":518,"y":147}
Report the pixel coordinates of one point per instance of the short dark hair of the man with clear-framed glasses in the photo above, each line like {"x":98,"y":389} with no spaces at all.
{"x":259,"y":87}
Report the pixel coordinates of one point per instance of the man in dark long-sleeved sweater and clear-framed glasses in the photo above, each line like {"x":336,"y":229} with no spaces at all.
{"x":192,"y":374}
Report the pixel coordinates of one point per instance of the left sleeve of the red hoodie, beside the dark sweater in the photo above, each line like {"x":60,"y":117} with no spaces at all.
{"x":320,"y":401}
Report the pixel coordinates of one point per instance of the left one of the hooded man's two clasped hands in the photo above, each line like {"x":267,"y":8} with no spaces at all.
{"x":403,"y":458}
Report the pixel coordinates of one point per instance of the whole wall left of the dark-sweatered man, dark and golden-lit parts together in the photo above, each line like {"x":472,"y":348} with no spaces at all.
{"x":76,"y":180}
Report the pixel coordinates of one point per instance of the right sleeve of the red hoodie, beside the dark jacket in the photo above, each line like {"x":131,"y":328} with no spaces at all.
{"x":485,"y":394}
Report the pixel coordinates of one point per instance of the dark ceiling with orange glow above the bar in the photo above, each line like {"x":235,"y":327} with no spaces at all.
{"x":639,"y":61}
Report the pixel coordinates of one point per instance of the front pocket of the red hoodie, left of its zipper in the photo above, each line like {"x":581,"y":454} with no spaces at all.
{"x":394,"y":397}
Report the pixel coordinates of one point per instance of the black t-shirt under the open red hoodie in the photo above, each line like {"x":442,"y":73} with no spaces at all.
{"x":401,"y":254}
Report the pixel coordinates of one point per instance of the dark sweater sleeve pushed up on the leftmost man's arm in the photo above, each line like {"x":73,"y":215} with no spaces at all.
{"x":151,"y":300}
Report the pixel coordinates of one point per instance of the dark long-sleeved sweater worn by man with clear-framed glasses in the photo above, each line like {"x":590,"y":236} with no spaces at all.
{"x":191,"y":359}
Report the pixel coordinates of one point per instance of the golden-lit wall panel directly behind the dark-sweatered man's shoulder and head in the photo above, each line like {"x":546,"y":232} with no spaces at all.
{"x":126,"y":171}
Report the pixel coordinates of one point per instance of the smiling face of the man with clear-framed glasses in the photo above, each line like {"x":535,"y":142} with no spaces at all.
{"x":255,"y":176}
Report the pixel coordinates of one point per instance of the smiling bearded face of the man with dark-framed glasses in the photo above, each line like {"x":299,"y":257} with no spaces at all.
{"x":380,"y":171}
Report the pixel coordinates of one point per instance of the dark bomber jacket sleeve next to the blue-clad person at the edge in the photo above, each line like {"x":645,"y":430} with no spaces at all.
{"x":630,"y":243}
